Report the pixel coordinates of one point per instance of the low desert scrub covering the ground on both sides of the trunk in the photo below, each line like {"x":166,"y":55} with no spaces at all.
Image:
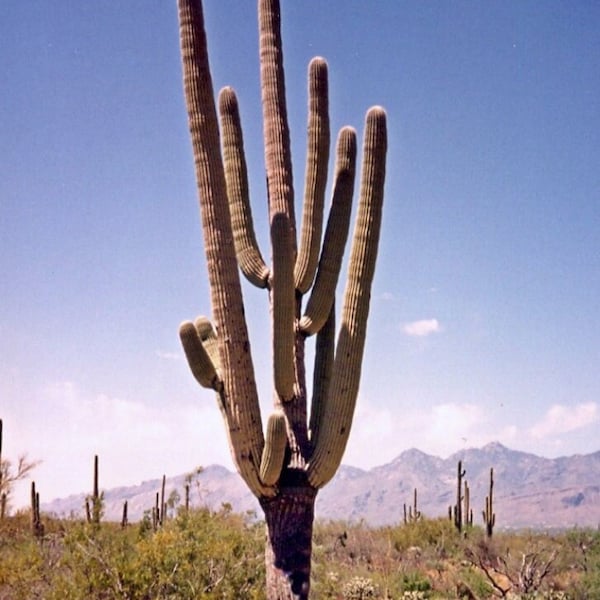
{"x":203,"y":554}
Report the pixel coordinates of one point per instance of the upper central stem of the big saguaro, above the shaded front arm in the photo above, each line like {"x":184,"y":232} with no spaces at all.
{"x":276,"y":130}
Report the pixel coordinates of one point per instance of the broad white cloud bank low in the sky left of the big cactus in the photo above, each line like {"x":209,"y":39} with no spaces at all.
{"x":134,"y":441}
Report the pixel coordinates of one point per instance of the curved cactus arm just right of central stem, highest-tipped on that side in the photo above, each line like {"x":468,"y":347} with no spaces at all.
{"x":317,"y":158}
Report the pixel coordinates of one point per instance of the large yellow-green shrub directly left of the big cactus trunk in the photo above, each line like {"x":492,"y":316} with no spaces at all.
{"x":195,"y":556}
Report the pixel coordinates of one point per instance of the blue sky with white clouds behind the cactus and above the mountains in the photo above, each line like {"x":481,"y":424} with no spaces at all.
{"x":484,"y":320}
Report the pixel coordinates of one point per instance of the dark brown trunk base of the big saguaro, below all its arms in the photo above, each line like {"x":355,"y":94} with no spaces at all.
{"x":289,"y":518}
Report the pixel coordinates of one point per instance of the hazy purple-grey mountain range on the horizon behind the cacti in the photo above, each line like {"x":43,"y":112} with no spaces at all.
{"x":529,"y":491}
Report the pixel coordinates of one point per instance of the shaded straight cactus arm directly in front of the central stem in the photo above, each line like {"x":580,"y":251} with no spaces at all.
{"x":283,"y":299}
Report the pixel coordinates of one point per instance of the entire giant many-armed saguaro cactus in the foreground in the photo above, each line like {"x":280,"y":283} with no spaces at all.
{"x":299,"y":450}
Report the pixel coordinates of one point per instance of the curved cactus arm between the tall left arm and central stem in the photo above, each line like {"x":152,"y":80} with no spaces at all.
{"x":248,"y":254}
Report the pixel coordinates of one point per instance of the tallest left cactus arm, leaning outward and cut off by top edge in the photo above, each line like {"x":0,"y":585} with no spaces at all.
{"x":239,"y":395}
